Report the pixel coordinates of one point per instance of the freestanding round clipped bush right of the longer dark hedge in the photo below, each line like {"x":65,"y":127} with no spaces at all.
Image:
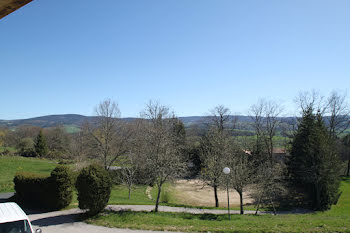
{"x":94,"y":188}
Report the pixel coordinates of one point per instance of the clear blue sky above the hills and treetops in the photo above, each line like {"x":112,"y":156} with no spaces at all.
{"x":65,"y":56}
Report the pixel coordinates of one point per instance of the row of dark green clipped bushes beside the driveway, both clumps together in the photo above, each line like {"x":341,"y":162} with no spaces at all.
{"x":55,"y":192}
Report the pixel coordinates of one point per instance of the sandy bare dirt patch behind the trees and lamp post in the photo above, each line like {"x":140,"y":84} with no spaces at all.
{"x":195,"y":193}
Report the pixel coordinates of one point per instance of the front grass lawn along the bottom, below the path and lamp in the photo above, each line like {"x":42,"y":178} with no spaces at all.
{"x":335,"y":220}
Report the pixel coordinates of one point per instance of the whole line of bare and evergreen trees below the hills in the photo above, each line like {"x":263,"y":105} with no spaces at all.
{"x":156,"y":148}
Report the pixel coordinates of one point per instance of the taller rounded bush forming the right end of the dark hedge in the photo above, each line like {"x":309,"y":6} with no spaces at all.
{"x":61,"y":187}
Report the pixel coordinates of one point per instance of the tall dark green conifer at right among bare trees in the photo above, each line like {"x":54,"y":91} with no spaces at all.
{"x":314,"y":163}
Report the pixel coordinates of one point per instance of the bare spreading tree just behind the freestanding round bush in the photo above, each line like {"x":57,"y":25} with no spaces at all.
{"x":110,"y":135}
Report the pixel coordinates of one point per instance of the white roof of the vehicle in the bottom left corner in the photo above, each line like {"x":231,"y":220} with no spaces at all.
{"x":10,"y":212}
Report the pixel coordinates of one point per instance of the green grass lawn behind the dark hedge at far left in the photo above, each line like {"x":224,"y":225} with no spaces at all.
{"x":10,"y":165}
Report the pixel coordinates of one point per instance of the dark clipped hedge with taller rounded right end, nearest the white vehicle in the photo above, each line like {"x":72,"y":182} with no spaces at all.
{"x":53,"y":192}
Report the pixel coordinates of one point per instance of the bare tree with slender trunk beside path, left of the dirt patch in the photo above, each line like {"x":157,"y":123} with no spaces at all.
{"x":163,"y":154}
